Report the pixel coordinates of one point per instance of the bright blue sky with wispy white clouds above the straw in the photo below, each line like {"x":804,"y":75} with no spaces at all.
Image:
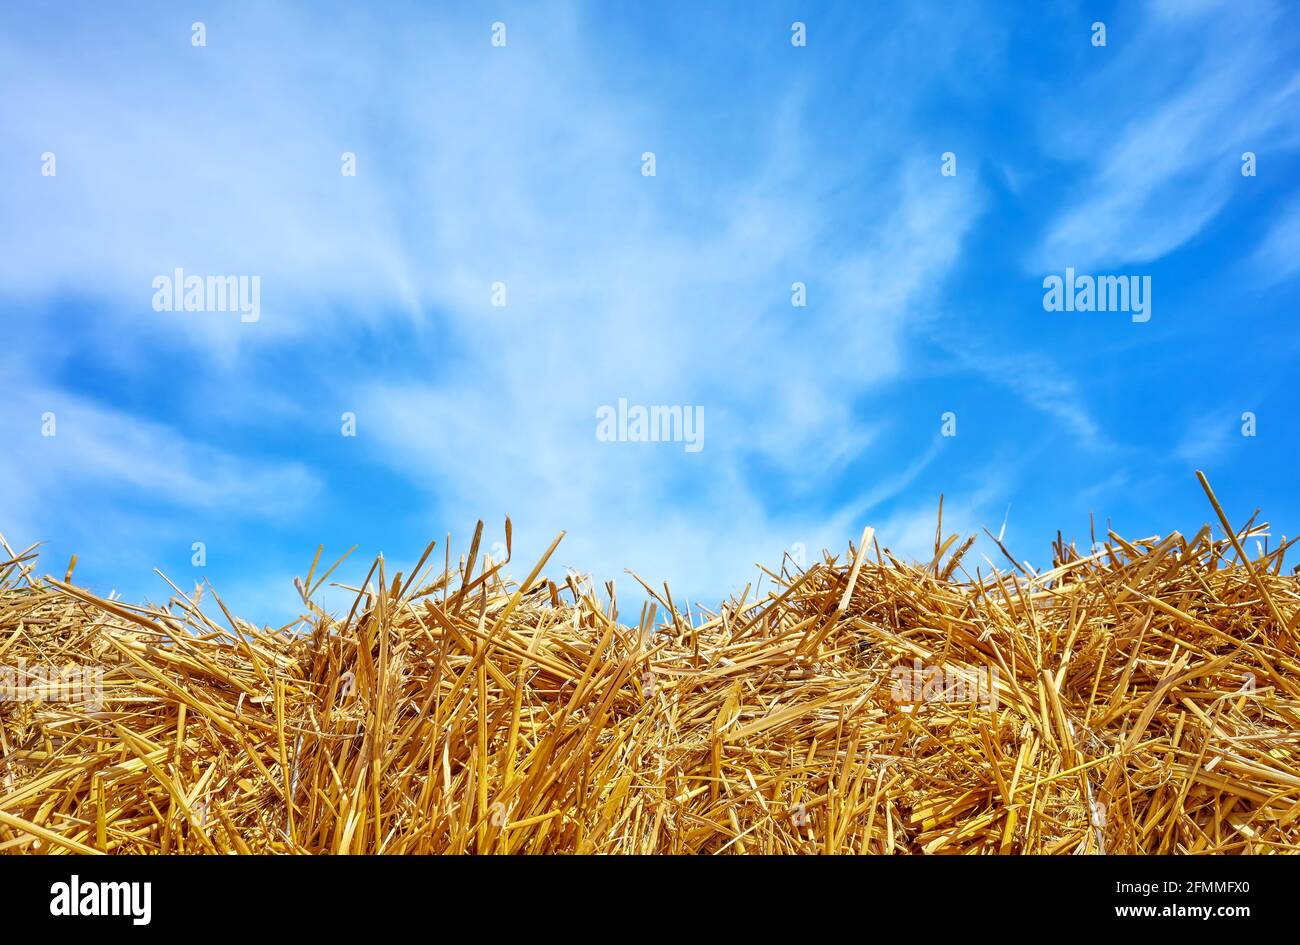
{"x":523,"y":164}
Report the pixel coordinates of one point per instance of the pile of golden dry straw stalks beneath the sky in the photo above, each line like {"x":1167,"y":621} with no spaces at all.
{"x":1143,"y":700}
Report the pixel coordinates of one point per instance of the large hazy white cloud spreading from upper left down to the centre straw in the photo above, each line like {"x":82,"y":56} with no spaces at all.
{"x":478,"y":166}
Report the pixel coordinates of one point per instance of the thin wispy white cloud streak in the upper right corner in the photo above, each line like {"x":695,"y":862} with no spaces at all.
{"x":1162,"y":137}
